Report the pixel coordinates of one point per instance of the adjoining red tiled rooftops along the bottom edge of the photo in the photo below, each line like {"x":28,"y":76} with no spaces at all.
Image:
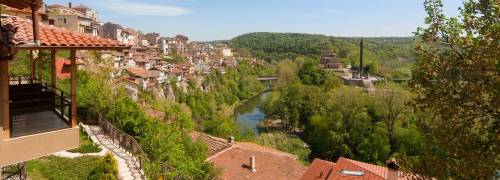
{"x":244,"y":160}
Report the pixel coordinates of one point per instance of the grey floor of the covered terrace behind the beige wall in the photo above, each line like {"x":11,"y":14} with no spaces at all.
{"x":33,"y":123}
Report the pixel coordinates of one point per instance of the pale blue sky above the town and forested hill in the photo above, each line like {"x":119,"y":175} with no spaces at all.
{"x":204,"y":20}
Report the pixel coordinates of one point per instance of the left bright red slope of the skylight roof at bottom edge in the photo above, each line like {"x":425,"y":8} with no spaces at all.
{"x":319,"y":169}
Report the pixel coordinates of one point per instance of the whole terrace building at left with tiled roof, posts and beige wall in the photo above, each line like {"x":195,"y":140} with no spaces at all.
{"x":37,"y":117}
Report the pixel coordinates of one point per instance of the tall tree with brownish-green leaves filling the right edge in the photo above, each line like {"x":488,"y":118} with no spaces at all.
{"x":457,"y":80}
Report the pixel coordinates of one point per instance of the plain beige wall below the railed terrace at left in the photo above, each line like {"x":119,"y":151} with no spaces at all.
{"x":30,"y":147}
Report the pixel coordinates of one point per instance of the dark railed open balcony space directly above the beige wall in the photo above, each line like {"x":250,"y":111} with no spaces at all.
{"x":36,"y":108}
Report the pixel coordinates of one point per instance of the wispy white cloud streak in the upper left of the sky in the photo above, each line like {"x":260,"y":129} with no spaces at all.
{"x":144,"y":9}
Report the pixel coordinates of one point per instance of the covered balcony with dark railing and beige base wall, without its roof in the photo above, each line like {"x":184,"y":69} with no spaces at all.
{"x":39,"y":121}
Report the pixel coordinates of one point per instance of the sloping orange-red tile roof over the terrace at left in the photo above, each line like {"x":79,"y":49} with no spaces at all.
{"x":16,"y":31}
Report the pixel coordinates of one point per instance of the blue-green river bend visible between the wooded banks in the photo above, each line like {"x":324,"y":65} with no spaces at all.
{"x":249,"y":113}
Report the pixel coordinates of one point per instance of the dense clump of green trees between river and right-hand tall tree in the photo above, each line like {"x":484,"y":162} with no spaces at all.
{"x":341,"y":121}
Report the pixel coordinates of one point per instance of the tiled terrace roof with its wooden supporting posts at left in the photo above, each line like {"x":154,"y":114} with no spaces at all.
{"x":18,"y":34}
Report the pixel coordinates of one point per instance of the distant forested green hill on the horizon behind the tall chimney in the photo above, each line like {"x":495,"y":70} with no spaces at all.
{"x":390,"y":56}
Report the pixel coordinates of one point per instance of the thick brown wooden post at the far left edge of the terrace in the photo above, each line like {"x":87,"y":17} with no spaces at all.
{"x":4,"y":89}
